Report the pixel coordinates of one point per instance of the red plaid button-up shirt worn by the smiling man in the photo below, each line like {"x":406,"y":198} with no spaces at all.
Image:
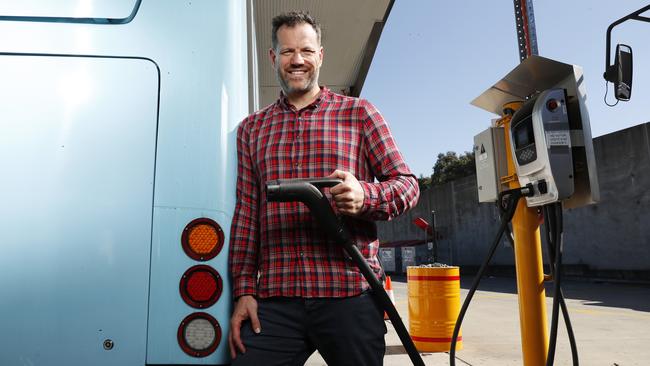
{"x":278,"y":249}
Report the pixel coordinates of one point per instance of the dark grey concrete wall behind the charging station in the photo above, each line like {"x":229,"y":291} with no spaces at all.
{"x":608,"y":239}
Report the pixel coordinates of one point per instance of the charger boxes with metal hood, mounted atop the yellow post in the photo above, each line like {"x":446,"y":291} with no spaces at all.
{"x":550,"y":133}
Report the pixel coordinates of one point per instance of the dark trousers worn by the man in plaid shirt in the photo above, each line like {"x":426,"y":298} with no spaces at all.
{"x":346,"y":331}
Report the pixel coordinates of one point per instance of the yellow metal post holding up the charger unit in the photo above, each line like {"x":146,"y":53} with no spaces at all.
{"x":528,"y":263}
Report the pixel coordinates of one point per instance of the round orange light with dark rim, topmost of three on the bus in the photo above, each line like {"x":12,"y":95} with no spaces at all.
{"x":202,"y":239}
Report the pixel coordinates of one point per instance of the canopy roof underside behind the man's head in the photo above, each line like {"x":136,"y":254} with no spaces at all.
{"x":350,"y":33}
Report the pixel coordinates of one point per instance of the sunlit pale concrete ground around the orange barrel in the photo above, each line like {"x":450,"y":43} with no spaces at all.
{"x":611,"y":323}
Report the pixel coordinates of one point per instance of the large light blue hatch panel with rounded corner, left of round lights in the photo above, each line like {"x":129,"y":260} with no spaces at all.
{"x":77,"y":160}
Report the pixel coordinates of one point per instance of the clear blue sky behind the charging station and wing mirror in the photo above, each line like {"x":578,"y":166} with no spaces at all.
{"x":435,"y":57}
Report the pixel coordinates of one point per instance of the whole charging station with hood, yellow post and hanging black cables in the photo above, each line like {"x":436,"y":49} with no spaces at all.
{"x":541,"y":149}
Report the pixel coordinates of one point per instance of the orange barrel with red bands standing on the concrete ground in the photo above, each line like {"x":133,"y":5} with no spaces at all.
{"x":434,"y":304}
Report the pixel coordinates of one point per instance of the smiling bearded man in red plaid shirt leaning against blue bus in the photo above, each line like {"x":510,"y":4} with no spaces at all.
{"x":295,"y":291}
